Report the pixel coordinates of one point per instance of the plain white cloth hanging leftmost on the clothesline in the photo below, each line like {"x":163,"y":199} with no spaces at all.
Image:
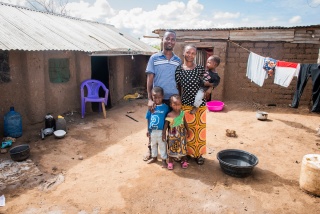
{"x":255,"y":71}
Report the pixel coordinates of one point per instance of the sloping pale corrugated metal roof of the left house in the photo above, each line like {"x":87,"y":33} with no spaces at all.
{"x":30,"y":30}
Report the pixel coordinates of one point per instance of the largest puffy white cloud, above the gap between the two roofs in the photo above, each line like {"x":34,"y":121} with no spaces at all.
{"x":175,"y":14}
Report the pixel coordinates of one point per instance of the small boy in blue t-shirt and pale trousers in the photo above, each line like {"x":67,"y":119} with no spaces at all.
{"x":156,"y":120}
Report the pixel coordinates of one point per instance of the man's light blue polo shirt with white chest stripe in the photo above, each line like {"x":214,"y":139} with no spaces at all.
{"x":164,"y":73}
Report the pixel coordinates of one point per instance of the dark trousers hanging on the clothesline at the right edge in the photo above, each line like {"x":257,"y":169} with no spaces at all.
{"x":306,"y":71}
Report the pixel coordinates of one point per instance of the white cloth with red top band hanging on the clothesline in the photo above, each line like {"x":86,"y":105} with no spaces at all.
{"x":284,"y":72}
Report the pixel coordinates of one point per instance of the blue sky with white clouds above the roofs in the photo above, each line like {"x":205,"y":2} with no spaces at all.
{"x":140,"y":17}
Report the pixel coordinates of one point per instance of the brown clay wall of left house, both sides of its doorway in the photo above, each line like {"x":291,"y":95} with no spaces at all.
{"x":33,"y":95}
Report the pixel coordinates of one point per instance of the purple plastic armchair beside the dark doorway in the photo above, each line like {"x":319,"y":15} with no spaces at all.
{"x":92,"y":88}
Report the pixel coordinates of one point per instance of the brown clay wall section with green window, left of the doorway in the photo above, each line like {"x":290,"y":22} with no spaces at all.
{"x":30,"y":90}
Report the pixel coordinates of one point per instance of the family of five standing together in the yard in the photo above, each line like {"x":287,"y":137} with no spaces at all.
{"x":177,"y":95}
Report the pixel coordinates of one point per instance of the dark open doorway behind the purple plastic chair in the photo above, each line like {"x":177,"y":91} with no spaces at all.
{"x":100,"y":71}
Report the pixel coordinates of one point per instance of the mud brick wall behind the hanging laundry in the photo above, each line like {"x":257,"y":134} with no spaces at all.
{"x":238,"y":87}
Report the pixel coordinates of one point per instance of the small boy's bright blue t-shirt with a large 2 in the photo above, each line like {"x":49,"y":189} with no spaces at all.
{"x":156,"y":119}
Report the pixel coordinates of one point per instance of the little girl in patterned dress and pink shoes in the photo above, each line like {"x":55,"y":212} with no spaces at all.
{"x":177,"y":133}
